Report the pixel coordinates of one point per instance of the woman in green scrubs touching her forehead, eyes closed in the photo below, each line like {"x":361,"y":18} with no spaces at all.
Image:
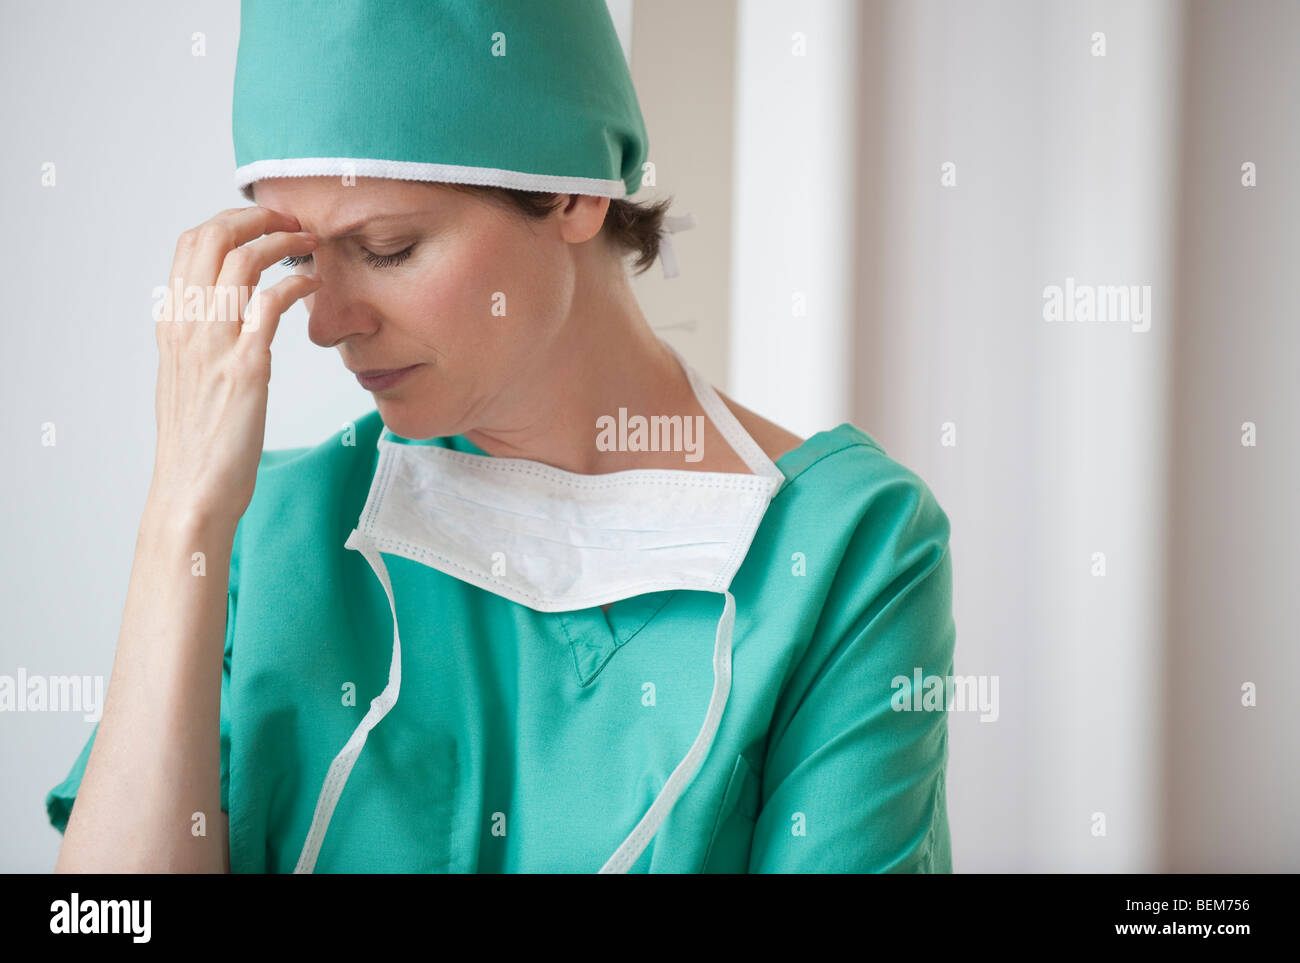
{"x":668,"y":645}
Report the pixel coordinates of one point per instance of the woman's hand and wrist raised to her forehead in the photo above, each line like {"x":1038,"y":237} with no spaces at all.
{"x":215,"y":359}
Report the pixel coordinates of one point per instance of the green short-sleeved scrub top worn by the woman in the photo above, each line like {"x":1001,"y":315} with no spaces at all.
{"x":527,"y":741}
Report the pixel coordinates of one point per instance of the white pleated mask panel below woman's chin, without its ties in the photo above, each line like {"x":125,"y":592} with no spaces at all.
{"x":556,"y":541}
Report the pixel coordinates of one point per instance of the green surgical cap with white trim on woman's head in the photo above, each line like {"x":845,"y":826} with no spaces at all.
{"x":526,"y":94}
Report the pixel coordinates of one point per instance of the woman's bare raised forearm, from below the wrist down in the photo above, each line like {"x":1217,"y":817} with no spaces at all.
{"x":155,"y":762}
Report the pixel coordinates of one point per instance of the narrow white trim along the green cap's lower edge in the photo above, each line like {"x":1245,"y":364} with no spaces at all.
{"x":414,"y":171}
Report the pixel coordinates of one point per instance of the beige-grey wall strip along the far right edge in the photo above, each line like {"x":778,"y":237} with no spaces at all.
{"x":1234,"y":786}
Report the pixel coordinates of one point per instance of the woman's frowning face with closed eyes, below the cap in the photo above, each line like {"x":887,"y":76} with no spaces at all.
{"x":470,"y":296}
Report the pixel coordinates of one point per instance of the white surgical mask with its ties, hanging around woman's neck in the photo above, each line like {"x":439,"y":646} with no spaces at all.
{"x":557,"y":543}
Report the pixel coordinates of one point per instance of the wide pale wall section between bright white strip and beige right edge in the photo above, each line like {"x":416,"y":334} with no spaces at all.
{"x":1055,"y":423}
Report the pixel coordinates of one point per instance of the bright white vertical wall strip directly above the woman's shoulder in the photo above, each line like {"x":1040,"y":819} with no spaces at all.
{"x":795,"y":183}
